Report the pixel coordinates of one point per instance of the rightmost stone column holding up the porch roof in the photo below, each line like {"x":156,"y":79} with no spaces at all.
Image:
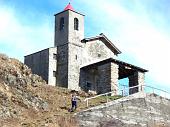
{"x":137,"y":79}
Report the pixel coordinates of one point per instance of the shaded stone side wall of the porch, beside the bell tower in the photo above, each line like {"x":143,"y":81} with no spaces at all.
{"x":96,"y":79}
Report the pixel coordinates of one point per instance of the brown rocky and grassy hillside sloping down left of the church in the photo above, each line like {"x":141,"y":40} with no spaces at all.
{"x":27,"y":101}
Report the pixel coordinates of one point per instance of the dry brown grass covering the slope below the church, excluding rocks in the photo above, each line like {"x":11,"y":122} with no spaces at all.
{"x":57,"y":115}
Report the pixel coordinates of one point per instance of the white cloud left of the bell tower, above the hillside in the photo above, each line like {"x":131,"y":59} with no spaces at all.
{"x":24,"y":38}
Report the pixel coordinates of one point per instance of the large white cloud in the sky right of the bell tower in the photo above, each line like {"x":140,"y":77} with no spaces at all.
{"x":136,"y":35}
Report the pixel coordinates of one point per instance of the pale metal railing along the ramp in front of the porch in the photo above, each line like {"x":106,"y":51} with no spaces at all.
{"x":126,"y":91}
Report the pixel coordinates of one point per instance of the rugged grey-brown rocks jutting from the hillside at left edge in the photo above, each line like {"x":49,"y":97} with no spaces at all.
{"x":15,"y":78}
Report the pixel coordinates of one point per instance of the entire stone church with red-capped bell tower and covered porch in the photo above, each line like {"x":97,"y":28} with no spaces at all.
{"x":79,"y":63}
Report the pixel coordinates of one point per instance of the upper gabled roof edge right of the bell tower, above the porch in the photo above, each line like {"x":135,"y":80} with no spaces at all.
{"x":105,"y":40}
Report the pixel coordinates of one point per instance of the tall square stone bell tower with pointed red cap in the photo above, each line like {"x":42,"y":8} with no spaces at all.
{"x":69,"y":31}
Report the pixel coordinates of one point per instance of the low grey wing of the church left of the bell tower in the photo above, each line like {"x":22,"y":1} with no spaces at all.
{"x":43,"y":63}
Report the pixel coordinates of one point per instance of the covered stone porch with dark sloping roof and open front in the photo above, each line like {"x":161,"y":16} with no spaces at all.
{"x":103,"y":76}
